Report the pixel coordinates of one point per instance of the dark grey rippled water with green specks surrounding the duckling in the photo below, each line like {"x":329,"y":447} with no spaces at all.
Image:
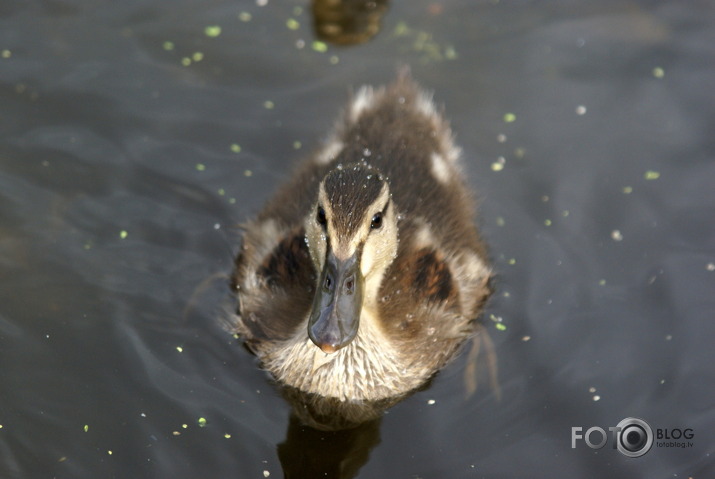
{"x":120,"y":192}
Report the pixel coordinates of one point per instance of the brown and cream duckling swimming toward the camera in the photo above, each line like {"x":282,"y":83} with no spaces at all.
{"x":365,"y":273}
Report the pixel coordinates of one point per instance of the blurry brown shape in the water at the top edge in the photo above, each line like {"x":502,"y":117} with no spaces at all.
{"x":347,"y":22}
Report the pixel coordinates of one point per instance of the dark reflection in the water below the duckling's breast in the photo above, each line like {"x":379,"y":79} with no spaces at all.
{"x":308,"y":452}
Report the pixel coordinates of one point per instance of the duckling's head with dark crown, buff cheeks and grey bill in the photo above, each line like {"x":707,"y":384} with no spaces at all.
{"x":352,"y":238}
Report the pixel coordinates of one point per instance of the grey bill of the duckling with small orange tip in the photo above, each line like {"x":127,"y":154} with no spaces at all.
{"x":335,"y":316}
